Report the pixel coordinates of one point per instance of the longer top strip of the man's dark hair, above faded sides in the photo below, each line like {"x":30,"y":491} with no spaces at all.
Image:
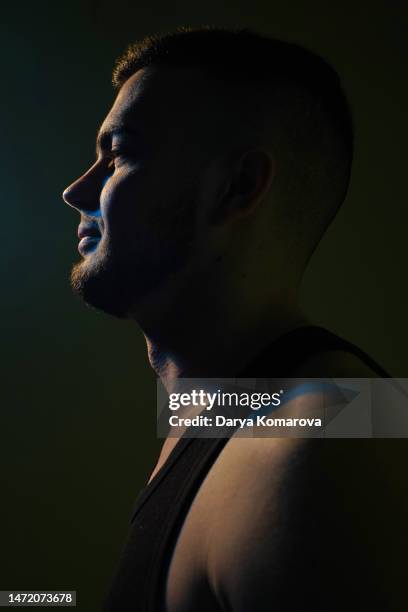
{"x":243,"y":56}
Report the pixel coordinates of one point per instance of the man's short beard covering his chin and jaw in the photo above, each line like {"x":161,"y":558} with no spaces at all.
{"x":127,"y":268}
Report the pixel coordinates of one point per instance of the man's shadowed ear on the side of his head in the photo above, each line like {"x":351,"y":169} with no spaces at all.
{"x":250,"y":179}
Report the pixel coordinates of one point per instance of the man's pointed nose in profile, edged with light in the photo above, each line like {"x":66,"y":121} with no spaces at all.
{"x":83,"y":194}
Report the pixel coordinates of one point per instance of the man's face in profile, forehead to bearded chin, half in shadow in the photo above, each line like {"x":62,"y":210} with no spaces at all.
{"x":139,"y":201}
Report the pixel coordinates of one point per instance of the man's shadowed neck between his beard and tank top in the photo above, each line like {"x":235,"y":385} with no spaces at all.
{"x":216,"y":342}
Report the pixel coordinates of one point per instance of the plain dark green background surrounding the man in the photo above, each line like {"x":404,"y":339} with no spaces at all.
{"x":78,"y":400}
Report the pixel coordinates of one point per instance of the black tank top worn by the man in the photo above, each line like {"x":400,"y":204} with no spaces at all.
{"x":162,"y":506}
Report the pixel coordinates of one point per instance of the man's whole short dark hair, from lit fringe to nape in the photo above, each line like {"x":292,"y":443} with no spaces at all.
{"x":297,"y":88}
